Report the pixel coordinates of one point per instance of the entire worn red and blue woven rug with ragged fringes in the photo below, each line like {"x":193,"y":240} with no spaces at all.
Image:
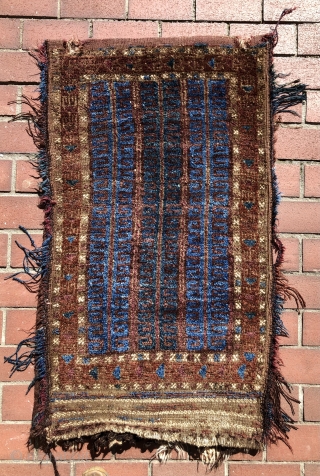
{"x":159,"y":302}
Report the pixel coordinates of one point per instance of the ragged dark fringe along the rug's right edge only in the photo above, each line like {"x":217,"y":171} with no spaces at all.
{"x":277,"y":423}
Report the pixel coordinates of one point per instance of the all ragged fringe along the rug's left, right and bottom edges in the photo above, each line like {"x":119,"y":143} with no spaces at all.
{"x":36,"y":262}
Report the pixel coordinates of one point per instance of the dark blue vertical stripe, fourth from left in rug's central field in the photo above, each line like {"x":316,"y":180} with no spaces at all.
{"x":172,"y":171}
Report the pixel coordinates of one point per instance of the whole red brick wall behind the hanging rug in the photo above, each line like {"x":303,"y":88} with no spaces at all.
{"x":24,"y":24}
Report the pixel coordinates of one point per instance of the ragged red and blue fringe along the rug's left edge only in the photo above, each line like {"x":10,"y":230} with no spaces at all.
{"x":36,"y":259}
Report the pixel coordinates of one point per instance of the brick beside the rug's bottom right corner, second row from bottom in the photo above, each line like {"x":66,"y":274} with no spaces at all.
{"x":305,"y":444}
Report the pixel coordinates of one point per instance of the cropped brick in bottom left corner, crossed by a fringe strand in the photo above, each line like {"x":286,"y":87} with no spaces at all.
{"x":32,"y":469}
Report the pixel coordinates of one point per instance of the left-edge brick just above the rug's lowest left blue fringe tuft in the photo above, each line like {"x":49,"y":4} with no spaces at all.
{"x":19,"y":322}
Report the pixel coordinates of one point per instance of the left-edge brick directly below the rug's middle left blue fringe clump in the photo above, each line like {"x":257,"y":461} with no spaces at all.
{"x":13,"y":294}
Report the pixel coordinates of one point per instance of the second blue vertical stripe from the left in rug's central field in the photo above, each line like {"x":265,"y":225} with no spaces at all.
{"x":122,"y":245}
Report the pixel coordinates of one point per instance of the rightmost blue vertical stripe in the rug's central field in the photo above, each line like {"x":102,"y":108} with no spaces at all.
{"x":218,"y":266}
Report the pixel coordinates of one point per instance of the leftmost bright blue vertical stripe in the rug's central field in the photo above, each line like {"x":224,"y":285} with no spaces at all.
{"x":101,"y":164}
